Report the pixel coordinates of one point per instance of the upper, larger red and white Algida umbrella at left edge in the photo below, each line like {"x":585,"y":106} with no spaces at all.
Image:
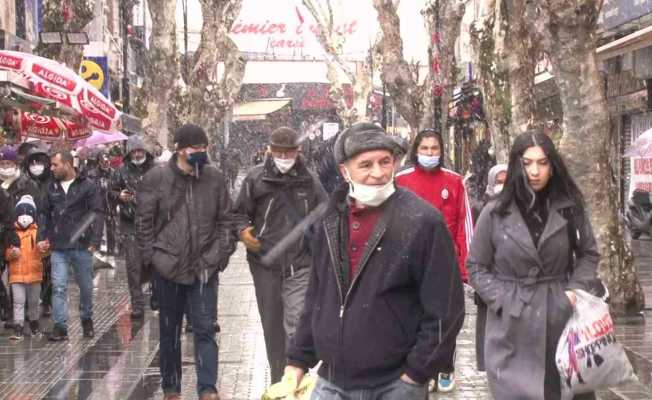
{"x":57,"y":82}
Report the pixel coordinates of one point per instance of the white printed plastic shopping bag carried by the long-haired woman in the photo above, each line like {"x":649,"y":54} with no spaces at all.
{"x":588,"y":356}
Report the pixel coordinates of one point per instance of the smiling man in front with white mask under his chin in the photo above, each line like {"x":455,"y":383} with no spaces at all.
{"x":385,"y":301}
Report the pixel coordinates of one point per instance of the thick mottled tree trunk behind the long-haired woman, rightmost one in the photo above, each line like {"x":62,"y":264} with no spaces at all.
{"x":585,"y":143}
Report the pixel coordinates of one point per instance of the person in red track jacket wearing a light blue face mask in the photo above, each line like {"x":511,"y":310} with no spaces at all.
{"x":444,"y":190}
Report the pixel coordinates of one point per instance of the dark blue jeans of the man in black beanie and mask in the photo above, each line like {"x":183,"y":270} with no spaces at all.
{"x":172,"y":299}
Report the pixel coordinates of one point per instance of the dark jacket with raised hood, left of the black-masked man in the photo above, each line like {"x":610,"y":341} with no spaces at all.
{"x":128,"y":177}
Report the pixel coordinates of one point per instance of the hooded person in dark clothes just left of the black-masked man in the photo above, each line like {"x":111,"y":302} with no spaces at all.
{"x":122,"y":190}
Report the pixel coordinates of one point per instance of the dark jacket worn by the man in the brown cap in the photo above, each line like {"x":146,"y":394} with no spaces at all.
{"x":274,"y":203}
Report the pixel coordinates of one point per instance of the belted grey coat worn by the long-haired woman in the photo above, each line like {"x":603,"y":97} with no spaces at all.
{"x":523,"y":287}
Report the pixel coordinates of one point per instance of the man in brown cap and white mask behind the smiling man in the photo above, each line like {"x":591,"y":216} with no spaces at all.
{"x":275,"y":197}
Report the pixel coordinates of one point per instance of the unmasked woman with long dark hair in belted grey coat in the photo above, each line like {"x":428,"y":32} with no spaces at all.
{"x":531,"y":247}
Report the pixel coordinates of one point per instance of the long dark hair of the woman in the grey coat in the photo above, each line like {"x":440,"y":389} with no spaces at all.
{"x":517,"y":188}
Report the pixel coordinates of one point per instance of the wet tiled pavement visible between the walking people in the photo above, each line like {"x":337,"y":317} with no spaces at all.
{"x":122,"y":361}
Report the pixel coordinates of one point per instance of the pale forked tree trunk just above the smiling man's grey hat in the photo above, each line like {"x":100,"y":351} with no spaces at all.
{"x":360,"y":79}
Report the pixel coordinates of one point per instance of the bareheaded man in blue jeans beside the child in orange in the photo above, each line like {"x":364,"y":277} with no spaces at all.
{"x":73,"y":215}
